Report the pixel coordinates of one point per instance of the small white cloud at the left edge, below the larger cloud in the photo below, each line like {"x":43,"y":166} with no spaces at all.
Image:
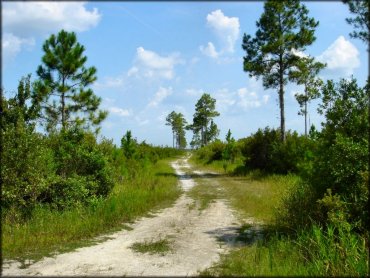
{"x":12,"y":45}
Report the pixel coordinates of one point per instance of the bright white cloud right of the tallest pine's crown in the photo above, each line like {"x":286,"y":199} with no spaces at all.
{"x":342,"y":57}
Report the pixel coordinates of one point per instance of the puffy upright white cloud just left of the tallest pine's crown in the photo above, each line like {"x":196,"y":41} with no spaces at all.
{"x":227,"y":30}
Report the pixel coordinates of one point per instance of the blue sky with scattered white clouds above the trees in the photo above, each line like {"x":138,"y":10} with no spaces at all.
{"x":156,"y":57}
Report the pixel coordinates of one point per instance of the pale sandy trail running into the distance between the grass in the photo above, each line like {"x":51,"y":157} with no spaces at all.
{"x":195,"y":236}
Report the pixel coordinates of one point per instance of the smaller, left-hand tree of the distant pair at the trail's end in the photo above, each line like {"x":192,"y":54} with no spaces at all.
{"x":178,"y":124}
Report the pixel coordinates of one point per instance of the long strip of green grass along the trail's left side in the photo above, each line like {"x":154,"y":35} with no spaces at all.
{"x":49,"y":232}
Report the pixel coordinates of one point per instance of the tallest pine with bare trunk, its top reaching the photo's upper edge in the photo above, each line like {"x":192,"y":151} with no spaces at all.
{"x":282,"y":28}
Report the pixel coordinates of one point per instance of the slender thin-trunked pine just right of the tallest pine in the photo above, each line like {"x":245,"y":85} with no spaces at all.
{"x":305,"y":73}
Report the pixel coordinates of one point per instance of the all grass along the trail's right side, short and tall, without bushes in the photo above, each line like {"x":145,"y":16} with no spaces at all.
{"x":314,"y":252}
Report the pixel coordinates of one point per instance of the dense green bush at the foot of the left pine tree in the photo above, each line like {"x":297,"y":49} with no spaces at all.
{"x":82,"y":169}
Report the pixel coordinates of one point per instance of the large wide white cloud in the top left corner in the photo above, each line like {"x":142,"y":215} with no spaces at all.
{"x":28,"y":19}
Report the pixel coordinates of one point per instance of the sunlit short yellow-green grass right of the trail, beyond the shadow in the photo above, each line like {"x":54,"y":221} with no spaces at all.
{"x":254,"y":195}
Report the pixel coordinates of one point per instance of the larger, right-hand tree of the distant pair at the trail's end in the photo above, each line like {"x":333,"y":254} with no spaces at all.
{"x":205,"y":111}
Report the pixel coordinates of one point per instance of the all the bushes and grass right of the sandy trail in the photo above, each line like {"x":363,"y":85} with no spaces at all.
{"x":316,"y":222}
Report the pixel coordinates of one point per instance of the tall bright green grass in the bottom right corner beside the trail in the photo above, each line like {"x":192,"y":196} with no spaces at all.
{"x":315,"y":252}
